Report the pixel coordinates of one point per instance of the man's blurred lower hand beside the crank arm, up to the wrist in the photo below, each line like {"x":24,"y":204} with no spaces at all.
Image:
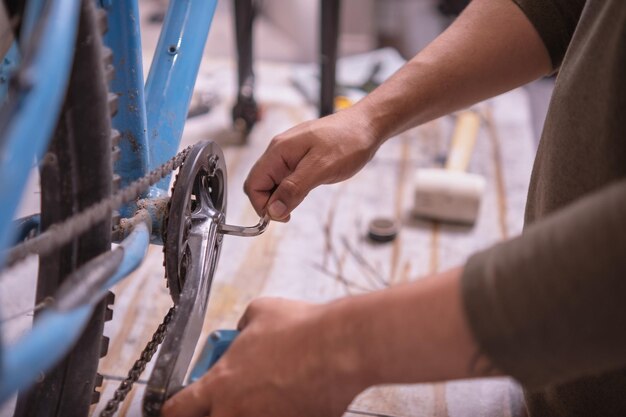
{"x":279,"y":366}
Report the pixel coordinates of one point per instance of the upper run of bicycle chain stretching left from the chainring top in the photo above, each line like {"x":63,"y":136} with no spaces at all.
{"x":63,"y":232}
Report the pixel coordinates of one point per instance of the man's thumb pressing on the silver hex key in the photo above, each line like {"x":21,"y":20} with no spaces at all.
{"x":289,"y":194}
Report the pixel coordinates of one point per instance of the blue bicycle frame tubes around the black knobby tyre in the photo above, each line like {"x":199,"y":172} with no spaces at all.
{"x":150,"y":120}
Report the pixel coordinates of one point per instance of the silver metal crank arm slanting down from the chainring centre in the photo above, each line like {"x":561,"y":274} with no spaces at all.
{"x":178,"y":346}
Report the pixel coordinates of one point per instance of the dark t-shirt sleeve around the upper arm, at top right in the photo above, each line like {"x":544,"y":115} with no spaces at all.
{"x":555,"y":20}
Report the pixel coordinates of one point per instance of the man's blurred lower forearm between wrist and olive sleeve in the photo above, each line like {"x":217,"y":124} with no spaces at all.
{"x":407,"y":334}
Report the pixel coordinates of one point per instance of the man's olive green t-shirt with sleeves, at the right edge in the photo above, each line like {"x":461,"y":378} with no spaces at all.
{"x":549,"y":307}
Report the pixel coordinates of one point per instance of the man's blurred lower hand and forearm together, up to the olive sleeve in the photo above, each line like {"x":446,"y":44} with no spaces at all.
{"x":294,"y":359}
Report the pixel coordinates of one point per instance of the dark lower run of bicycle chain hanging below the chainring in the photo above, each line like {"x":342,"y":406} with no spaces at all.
{"x":138,"y":367}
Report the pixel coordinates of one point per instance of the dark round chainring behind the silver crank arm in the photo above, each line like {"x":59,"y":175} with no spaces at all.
{"x":203,"y":171}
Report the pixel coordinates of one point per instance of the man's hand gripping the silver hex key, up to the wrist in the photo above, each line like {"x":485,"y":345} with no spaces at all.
{"x":322,"y":151}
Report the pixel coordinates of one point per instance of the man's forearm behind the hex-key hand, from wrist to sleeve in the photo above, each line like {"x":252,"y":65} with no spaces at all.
{"x":491,"y":48}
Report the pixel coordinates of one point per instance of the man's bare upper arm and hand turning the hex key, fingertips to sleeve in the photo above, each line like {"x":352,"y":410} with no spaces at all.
{"x":491,"y":48}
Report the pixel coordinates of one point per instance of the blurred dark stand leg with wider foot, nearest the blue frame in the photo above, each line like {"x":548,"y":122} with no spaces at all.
{"x":245,"y":112}
